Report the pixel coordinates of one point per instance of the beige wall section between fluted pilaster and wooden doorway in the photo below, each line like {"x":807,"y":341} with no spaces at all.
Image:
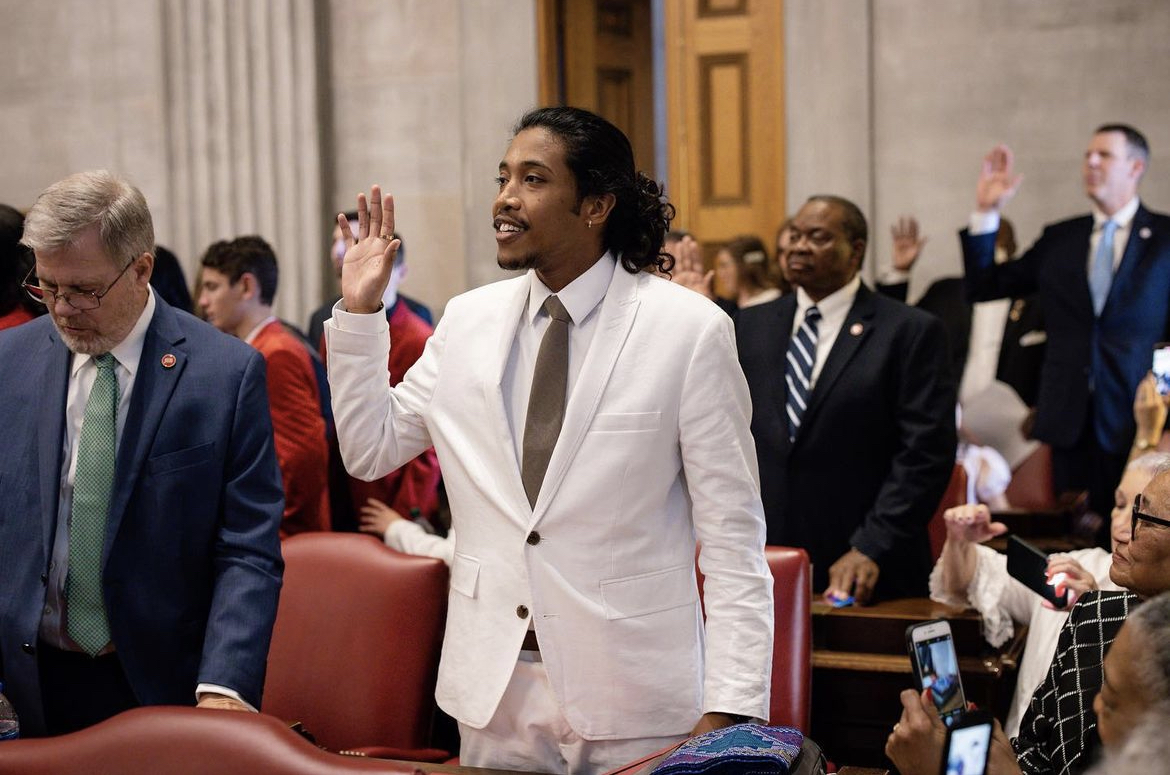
{"x":425,"y":93}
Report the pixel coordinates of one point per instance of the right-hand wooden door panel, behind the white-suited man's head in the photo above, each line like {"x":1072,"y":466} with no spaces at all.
{"x":725,"y":80}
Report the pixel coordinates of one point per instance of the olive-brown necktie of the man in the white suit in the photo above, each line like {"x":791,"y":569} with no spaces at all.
{"x":547,"y":401}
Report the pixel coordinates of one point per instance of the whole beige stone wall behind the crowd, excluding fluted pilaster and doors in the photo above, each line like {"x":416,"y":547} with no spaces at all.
{"x":891,"y":102}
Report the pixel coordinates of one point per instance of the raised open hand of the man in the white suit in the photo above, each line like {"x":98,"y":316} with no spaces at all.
{"x":370,"y":253}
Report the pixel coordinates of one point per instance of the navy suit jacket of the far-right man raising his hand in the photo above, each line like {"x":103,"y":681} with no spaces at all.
{"x":1112,"y":352}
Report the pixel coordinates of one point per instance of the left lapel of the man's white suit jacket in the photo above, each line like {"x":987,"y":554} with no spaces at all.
{"x":510,"y":317}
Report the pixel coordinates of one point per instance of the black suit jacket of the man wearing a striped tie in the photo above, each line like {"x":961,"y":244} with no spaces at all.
{"x":877,"y":444}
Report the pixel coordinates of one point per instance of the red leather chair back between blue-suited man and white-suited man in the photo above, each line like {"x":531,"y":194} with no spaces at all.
{"x":355,"y":651}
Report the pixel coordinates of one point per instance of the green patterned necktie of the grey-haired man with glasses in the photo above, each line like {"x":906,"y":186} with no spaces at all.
{"x":93,"y":488}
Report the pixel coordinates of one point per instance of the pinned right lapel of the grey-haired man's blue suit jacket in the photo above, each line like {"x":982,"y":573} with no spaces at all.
{"x":154,"y":387}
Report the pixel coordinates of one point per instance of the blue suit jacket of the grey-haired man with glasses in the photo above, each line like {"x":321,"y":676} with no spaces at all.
{"x":192,"y":565}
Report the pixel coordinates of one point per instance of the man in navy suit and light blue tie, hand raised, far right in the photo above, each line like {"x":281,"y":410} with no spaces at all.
{"x":1104,"y":282}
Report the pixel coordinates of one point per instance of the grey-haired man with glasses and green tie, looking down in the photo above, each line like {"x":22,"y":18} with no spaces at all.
{"x":141,"y":498}
